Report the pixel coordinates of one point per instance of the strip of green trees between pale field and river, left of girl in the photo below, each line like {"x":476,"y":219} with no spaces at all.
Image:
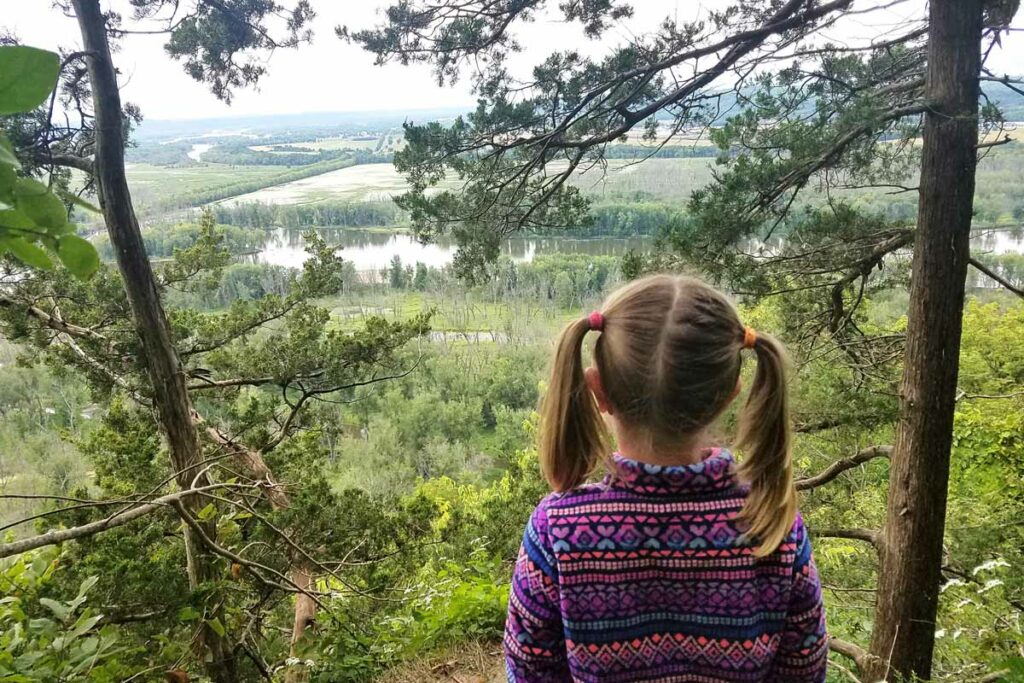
{"x":324,"y":215}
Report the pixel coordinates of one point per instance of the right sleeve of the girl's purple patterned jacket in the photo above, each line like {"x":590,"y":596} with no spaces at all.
{"x":803,"y":653}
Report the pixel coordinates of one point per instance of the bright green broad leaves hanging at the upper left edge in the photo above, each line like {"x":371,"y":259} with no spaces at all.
{"x":33,"y":220}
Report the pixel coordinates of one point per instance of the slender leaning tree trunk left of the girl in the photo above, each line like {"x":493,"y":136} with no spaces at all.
{"x":169,"y":391}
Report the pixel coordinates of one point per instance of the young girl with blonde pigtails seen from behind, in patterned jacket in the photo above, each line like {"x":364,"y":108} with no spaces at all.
{"x":682,"y":566}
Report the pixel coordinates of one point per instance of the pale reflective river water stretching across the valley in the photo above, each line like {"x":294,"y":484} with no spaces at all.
{"x":373,"y":250}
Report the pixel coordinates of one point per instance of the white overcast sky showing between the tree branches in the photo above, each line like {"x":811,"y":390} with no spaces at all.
{"x":333,"y":76}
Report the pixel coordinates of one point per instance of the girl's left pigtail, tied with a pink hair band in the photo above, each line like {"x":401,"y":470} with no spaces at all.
{"x":572,"y":435}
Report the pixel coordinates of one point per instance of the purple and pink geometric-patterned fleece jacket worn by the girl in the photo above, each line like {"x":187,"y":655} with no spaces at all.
{"x":646,"y":577}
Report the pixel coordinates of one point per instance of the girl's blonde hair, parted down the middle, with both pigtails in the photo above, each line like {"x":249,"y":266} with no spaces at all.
{"x":667,"y":362}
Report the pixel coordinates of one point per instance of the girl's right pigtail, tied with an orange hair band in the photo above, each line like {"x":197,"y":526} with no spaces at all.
{"x":765,"y":438}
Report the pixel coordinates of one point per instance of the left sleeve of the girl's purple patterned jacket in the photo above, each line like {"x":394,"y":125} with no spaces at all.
{"x":535,"y":642}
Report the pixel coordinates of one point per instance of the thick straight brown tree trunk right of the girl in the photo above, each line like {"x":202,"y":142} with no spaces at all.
{"x":912,"y":554}
